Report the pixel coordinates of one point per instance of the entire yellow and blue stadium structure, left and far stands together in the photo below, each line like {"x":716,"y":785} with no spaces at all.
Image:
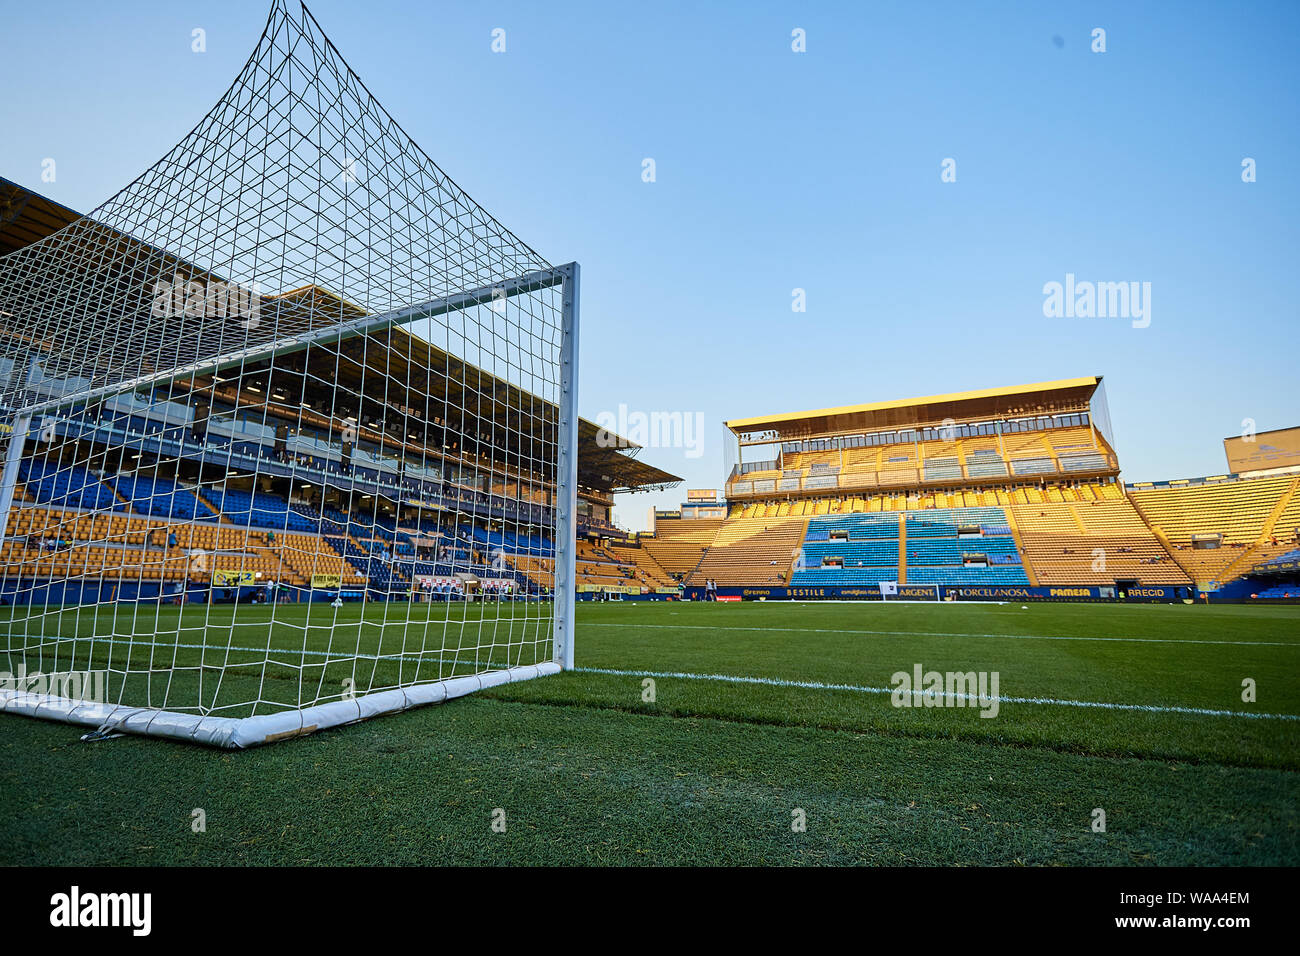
{"x":1004,"y":492}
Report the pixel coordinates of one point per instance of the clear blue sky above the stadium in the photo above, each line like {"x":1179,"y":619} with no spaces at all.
{"x":817,"y":171}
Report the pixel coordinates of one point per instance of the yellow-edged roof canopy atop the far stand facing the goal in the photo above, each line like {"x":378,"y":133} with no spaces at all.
{"x":1037,"y":399}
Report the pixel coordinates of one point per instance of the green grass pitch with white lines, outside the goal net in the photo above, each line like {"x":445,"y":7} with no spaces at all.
{"x":1133,"y":710}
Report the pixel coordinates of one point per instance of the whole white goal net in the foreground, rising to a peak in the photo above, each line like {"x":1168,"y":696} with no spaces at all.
{"x":288,"y":431}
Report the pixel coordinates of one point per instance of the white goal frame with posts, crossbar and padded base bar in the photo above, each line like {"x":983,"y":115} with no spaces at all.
{"x":235,"y":733}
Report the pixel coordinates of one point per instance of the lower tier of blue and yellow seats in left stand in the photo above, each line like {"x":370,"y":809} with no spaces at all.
{"x":172,"y":533}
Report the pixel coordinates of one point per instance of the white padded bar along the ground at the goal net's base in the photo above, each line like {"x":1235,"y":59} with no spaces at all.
{"x":239,"y":733}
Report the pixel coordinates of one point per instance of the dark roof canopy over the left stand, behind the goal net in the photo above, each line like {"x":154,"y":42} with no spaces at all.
{"x":499,"y":408}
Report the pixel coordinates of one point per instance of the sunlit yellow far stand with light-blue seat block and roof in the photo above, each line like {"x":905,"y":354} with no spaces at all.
{"x":999,"y":494}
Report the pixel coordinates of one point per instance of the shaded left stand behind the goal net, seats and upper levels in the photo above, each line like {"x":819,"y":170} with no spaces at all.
{"x":343,"y":498}
